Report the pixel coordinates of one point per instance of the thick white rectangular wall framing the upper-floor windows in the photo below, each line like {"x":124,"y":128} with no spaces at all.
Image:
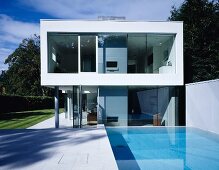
{"x":95,"y":79}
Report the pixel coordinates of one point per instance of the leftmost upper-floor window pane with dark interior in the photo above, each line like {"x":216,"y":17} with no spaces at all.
{"x":62,"y":53}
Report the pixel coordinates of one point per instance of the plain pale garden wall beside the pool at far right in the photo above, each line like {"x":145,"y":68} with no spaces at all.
{"x":202,"y":105}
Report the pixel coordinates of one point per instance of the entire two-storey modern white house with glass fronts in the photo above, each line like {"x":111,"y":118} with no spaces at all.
{"x":114,"y":72}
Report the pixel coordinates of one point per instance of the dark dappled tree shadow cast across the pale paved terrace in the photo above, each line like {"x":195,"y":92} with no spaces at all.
{"x":22,"y":147}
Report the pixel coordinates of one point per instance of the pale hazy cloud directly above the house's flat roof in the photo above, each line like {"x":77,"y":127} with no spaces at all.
{"x":85,"y":9}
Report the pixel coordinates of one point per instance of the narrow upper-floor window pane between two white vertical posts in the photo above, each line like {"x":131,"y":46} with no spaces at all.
{"x":88,"y":53}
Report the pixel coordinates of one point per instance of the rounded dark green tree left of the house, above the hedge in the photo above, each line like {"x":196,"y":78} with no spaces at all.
{"x":23,"y":74}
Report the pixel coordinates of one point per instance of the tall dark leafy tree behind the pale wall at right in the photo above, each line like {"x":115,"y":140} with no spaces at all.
{"x":201,"y":38}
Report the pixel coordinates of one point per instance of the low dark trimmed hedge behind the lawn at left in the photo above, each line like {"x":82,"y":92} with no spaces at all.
{"x":25,"y":103}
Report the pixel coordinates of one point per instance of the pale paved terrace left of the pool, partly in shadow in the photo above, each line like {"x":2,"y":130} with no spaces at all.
{"x":48,"y":148}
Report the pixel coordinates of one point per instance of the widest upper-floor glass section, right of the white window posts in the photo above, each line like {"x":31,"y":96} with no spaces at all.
{"x":136,"y":53}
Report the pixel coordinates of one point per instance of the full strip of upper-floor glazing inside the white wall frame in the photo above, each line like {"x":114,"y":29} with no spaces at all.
{"x":130,"y":53}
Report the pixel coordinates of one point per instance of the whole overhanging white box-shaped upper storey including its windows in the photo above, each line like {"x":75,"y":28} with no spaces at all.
{"x":152,"y":53}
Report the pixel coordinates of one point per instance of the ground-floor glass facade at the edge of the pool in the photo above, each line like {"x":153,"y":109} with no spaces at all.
{"x":134,"y":106}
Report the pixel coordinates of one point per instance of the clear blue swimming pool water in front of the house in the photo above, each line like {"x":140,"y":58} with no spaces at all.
{"x":170,"y":148}
